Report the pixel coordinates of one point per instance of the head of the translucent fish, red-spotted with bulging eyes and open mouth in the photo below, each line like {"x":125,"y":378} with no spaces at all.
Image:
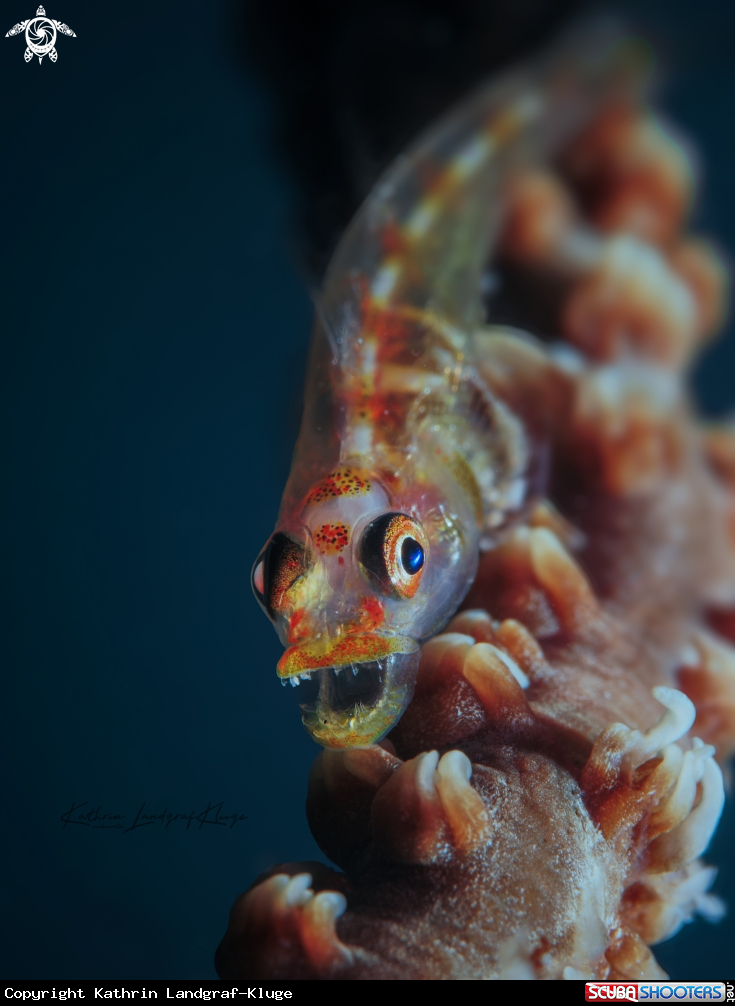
{"x":354,"y":583}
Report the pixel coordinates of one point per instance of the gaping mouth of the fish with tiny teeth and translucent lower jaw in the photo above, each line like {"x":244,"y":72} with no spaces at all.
{"x":357,"y":705}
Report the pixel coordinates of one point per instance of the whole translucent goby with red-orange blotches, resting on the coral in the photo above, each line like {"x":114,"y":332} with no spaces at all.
{"x":408,"y":466}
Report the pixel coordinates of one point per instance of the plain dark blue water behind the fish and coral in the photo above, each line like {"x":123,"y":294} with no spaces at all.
{"x":154,"y":332}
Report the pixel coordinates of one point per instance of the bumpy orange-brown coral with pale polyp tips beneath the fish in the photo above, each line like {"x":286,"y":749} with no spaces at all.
{"x":541,"y":809}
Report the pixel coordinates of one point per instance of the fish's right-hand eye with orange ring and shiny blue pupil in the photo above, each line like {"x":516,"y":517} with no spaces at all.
{"x":394,"y":554}
